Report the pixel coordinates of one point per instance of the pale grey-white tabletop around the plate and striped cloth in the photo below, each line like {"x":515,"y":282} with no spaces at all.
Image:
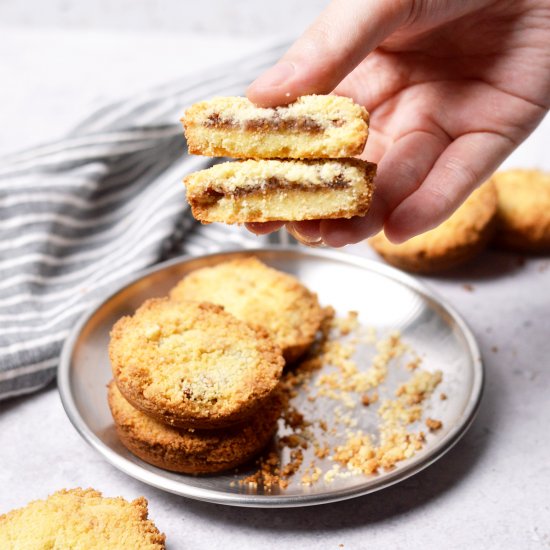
{"x":490,"y":491}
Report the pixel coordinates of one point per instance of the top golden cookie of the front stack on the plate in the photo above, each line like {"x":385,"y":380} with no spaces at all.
{"x":193,"y":364}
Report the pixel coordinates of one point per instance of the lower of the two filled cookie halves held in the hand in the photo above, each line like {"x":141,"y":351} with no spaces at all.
{"x":272,"y":190}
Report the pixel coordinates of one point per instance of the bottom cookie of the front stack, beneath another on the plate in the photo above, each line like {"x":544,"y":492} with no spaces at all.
{"x":193,"y":451}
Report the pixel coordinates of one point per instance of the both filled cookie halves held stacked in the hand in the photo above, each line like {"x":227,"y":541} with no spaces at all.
{"x":299,"y":163}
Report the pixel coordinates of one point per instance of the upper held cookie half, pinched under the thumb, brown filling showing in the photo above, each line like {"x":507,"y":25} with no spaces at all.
{"x":314,"y":126}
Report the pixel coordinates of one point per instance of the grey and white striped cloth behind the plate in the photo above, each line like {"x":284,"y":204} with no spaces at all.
{"x":80,"y":215}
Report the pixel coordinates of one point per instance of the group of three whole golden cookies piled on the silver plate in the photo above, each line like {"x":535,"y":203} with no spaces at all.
{"x":195,"y":385}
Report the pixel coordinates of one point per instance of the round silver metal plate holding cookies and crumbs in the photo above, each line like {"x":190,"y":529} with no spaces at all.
{"x":385,"y":298}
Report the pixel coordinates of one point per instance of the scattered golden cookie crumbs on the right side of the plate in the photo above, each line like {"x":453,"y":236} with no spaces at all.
{"x":342,"y":415}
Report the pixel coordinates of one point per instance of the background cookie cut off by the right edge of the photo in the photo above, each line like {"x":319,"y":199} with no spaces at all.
{"x":523,"y":214}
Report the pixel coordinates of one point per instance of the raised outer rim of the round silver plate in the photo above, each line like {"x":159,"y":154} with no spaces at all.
{"x":273,"y":501}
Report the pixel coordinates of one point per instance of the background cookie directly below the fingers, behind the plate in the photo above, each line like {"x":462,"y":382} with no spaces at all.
{"x":455,"y":241}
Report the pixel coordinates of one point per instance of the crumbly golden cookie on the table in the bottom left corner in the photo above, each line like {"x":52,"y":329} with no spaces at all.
{"x":80,"y":519}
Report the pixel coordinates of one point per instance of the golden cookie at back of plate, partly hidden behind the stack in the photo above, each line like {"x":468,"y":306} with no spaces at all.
{"x":258,"y":294}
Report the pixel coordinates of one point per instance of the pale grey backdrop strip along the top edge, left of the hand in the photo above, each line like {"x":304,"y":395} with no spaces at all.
{"x":243,"y":17}
